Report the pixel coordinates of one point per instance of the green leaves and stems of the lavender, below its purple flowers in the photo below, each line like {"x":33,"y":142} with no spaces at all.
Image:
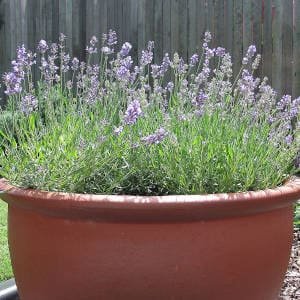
{"x":67,"y":151}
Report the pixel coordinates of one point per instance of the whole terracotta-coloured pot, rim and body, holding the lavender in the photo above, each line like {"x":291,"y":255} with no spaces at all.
{"x":210,"y":247}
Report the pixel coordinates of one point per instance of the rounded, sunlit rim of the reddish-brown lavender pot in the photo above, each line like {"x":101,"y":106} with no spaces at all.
{"x":151,"y":208}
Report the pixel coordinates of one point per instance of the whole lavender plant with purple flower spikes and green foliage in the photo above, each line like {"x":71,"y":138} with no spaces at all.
{"x":148,"y":129}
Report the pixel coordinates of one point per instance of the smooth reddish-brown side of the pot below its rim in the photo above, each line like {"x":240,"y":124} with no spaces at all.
{"x":230,"y":259}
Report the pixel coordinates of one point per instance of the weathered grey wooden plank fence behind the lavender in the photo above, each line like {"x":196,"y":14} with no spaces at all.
{"x":272,"y":25}
